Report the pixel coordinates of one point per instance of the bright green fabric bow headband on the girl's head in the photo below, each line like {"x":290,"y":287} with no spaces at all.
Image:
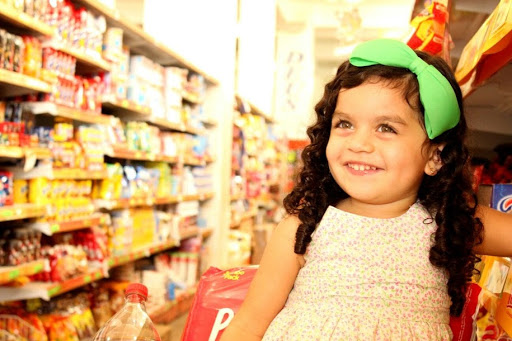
{"x":442,"y":110}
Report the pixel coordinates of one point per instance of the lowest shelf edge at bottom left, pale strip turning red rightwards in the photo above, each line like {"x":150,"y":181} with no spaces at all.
{"x":45,"y":290}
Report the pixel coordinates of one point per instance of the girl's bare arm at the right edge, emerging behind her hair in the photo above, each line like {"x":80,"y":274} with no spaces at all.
{"x":497,"y":232}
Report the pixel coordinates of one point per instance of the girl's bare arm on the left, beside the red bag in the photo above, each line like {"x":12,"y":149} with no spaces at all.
{"x":270,"y":287}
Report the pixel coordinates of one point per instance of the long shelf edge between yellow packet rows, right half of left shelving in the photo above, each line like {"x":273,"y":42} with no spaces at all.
{"x":135,"y":202}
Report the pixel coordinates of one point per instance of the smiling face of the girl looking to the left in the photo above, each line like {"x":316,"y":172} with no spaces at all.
{"x":376,"y":151}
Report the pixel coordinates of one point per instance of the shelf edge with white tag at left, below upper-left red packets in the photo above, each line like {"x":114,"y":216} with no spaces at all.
{"x":49,"y":108}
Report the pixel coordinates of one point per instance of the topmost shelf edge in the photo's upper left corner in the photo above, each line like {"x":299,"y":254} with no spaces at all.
{"x":24,"y":23}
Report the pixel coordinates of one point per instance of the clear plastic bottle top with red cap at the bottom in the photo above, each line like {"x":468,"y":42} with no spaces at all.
{"x":131,"y":323}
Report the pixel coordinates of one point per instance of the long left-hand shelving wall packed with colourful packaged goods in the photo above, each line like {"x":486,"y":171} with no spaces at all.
{"x":108,"y":155}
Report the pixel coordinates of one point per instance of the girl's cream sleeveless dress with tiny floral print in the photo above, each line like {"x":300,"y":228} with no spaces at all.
{"x":367,"y":279}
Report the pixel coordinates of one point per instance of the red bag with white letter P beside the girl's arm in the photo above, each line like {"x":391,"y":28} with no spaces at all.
{"x":219,"y":296}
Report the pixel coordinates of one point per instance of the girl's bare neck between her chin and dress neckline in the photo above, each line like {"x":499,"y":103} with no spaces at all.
{"x":376,"y":210}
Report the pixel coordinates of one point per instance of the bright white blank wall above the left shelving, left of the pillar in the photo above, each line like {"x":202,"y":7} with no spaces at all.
{"x":201,"y":31}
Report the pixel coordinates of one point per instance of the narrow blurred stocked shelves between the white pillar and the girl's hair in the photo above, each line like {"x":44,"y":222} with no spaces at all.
{"x":255,"y":184}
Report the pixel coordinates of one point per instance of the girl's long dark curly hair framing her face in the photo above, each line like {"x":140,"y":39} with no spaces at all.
{"x":448,"y":195}
